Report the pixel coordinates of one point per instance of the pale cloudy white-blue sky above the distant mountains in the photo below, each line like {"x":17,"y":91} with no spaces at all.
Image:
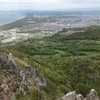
{"x":47,"y":4}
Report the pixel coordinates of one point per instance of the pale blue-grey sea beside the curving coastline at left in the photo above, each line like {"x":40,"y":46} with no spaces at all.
{"x":9,"y":17}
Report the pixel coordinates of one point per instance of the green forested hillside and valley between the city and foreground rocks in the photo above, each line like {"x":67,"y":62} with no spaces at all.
{"x":69,"y":62}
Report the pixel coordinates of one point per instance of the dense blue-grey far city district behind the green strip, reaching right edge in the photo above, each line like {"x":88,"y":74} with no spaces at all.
{"x":57,"y":22}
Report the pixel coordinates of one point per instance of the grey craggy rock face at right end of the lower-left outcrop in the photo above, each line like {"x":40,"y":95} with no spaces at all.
{"x":36,"y":77}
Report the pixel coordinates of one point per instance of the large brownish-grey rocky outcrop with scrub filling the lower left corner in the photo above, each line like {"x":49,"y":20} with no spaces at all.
{"x":15,"y":79}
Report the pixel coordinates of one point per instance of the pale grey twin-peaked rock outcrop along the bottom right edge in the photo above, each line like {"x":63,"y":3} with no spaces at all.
{"x":73,"y":96}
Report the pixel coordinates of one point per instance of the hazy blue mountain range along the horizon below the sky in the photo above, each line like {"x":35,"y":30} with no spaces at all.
{"x":80,"y":10}
